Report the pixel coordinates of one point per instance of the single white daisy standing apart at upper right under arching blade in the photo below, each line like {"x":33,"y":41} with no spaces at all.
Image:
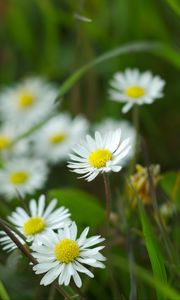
{"x":133,"y":87}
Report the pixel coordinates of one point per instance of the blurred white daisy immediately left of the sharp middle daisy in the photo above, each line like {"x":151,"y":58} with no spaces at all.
{"x":56,"y":138}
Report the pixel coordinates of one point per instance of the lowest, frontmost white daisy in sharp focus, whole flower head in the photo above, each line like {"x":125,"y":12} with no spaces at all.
{"x":62,"y":255}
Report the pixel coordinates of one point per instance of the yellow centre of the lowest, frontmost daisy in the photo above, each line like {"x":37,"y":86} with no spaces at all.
{"x":66,"y":251}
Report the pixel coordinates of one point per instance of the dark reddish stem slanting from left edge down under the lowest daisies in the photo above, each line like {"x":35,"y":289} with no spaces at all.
{"x":26,"y":252}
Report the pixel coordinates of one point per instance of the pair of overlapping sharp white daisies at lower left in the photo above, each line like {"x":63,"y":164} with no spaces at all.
{"x":52,"y":237}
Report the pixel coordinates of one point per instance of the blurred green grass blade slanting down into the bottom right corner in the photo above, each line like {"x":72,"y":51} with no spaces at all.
{"x":162,"y":287}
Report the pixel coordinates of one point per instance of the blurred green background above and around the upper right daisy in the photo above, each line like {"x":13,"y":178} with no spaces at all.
{"x":45,"y":37}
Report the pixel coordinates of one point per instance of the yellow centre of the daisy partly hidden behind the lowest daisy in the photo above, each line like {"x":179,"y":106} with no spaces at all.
{"x":33,"y":226}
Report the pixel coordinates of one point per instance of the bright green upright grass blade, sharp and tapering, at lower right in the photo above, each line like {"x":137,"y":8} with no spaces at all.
{"x":154,"y":252}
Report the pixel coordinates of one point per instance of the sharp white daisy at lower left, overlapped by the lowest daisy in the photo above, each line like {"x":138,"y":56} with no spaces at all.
{"x":40,"y":220}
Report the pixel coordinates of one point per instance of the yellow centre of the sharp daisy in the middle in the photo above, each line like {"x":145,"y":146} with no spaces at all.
{"x":99,"y":158}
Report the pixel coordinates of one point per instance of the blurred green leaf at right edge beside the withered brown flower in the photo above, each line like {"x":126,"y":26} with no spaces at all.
{"x":170,"y":183}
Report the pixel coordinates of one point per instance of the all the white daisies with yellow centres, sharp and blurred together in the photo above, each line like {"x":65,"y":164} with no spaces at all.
{"x":33,"y":136}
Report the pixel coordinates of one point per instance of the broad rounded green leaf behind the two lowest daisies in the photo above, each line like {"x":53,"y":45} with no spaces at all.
{"x":84,"y":208}
